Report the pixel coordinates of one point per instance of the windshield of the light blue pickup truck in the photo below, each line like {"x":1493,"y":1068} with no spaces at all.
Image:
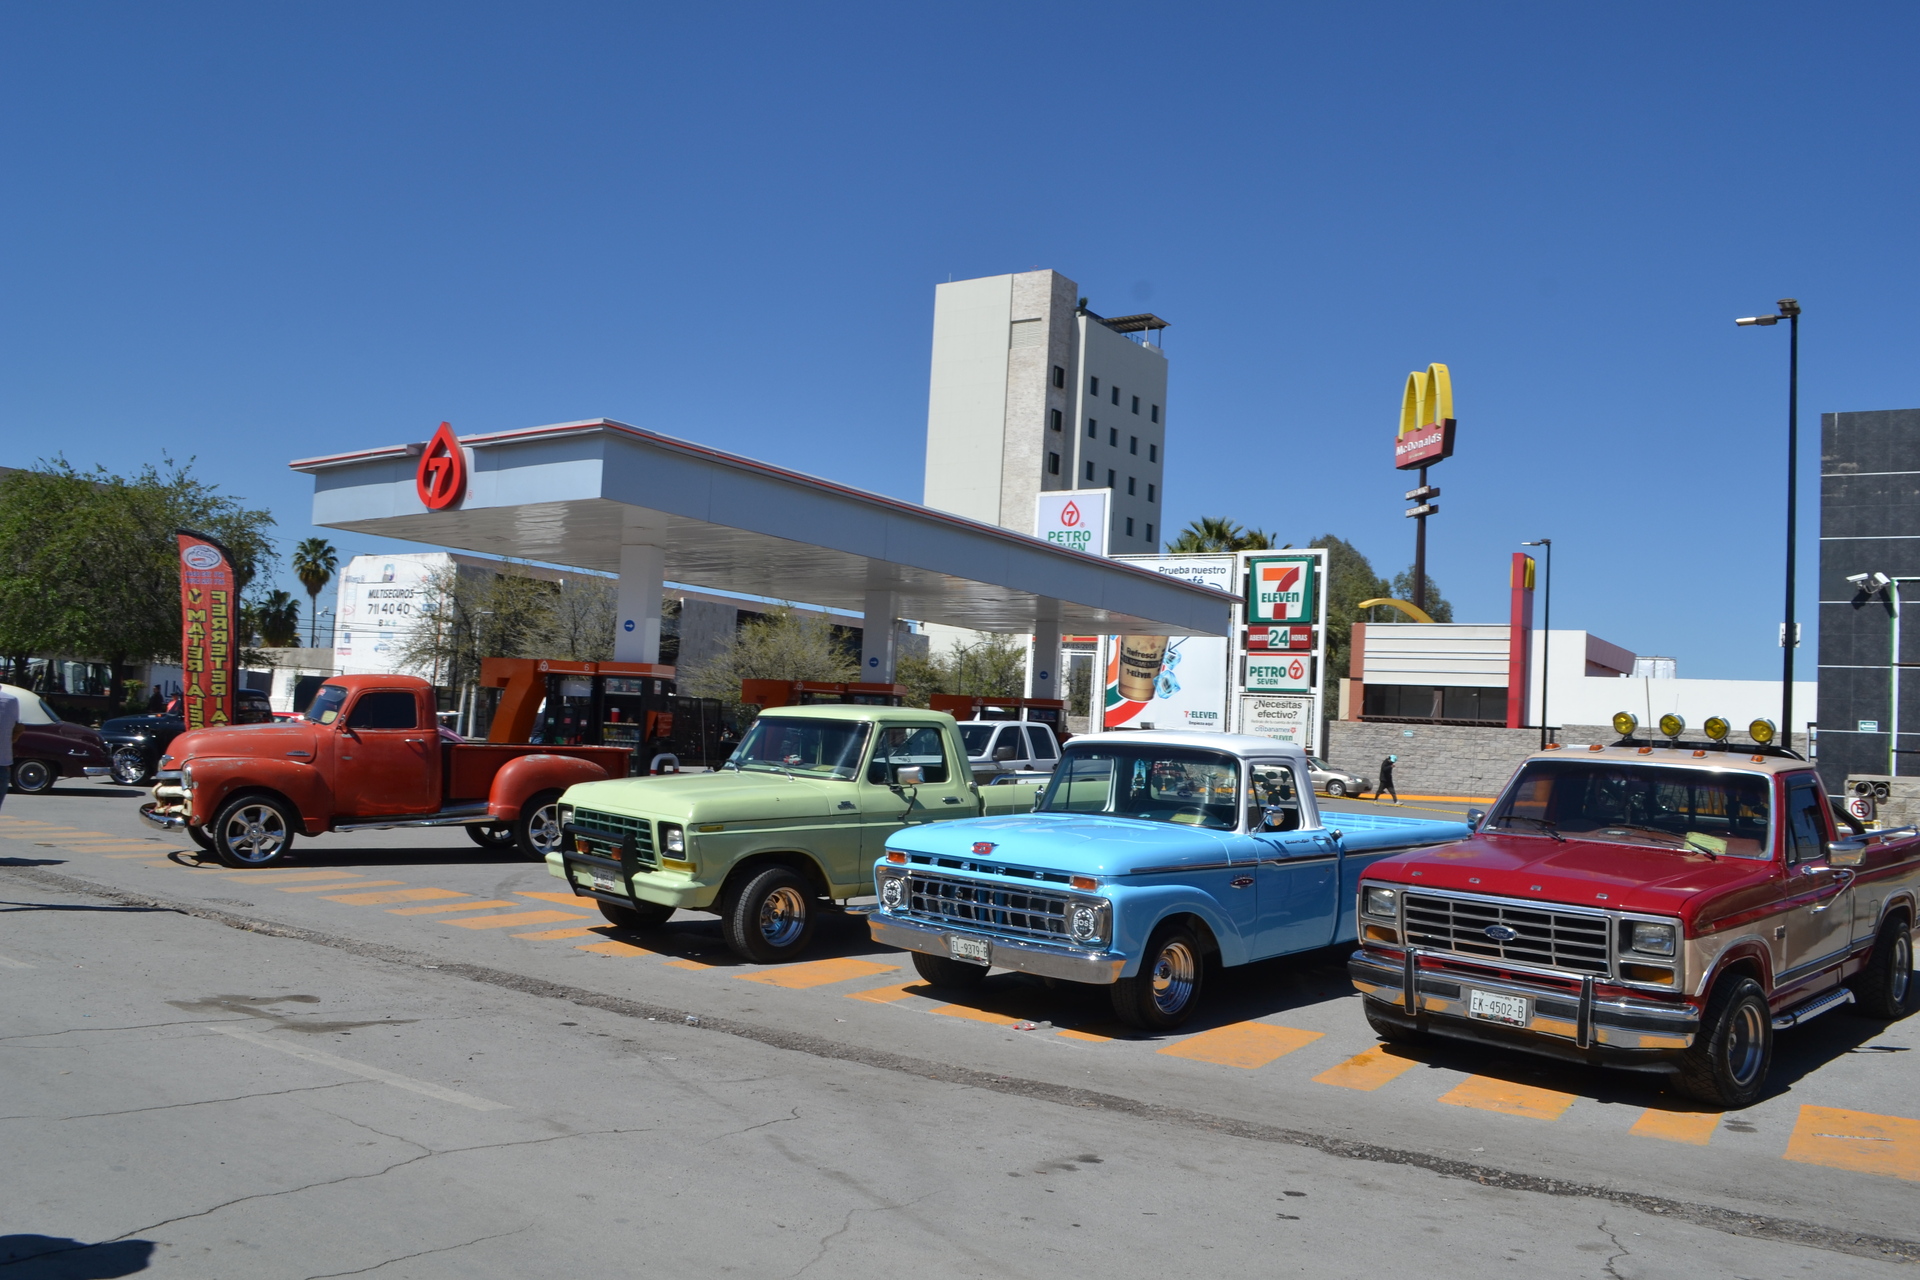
{"x":1168,"y":784}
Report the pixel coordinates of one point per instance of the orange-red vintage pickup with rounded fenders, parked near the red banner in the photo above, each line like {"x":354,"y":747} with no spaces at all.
{"x":366,"y":755}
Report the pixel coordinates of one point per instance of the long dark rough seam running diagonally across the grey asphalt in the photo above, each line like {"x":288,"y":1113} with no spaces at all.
{"x":1716,"y":1218}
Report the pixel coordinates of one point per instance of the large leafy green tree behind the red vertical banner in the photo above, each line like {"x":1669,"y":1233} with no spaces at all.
{"x":89,"y":563}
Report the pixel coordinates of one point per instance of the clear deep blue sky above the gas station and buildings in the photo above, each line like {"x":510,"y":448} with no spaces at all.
{"x":256,"y":233}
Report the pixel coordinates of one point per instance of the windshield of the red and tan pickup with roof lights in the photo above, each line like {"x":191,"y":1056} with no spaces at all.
{"x":1689,"y":811}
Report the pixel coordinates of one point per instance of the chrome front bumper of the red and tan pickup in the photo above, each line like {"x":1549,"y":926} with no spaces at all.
{"x":1556,"y":1022}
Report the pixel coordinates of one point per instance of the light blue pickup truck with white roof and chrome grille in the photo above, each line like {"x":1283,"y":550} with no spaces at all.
{"x":1147,"y":859}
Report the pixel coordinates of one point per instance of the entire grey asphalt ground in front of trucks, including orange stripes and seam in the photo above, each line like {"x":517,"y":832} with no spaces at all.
{"x":414,"y":1058}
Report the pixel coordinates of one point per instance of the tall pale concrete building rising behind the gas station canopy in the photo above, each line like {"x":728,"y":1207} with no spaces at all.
{"x":1034,"y":392}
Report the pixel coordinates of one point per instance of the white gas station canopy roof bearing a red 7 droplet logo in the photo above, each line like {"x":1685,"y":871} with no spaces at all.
{"x":581,"y":492}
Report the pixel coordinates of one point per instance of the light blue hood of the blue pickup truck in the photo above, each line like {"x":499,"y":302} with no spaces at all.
{"x":1074,"y":843}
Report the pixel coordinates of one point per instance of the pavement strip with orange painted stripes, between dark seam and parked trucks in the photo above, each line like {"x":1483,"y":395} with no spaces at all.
{"x":1278,"y":1045}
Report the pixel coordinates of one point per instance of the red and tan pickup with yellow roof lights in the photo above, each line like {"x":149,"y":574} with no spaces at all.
{"x":1644,"y":907}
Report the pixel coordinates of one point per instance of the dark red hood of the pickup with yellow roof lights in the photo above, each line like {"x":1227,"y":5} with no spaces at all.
{"x":1623,"y":878}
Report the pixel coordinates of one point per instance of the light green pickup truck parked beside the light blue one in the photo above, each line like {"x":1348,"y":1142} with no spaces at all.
{"x":792,"y":820}
